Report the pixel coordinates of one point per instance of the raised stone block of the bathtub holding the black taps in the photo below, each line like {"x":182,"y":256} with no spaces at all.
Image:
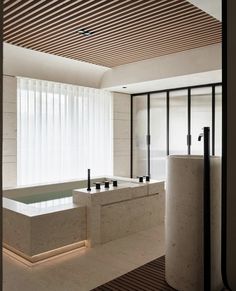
{"x":119,"y":211}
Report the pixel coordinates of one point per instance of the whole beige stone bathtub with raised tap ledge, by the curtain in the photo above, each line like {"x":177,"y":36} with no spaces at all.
{"x":43,"y":220}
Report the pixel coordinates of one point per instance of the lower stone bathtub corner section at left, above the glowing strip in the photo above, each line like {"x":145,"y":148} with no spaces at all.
{"x":31,"y":231}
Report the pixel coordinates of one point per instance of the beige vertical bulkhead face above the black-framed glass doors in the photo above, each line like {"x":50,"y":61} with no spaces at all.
{"x":192,"y":61}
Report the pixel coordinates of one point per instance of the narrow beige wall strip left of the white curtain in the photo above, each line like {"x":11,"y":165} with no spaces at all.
{"x":9,"y":131}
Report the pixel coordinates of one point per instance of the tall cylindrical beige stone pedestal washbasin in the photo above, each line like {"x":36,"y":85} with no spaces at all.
{"x":184,"y":223}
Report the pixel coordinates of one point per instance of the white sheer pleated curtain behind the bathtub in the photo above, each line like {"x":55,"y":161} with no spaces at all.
{"x":62,"y":130}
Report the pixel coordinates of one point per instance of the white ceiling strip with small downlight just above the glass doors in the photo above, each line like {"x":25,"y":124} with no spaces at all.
{"x":168,"y":83}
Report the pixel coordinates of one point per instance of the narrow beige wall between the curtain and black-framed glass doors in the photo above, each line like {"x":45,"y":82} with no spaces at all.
{"x":121,"y":134}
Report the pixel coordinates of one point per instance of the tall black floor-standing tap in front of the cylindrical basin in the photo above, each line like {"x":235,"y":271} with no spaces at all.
{"x":206,"y":209}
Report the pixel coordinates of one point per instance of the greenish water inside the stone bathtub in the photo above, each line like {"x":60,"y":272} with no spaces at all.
{"x":44,"y":197}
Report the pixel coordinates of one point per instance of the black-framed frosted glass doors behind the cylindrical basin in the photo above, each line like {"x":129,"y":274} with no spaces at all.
{"x":168,"y":122}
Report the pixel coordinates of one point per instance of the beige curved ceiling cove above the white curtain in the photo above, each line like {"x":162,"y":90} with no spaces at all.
{"x":18,"y":61}
